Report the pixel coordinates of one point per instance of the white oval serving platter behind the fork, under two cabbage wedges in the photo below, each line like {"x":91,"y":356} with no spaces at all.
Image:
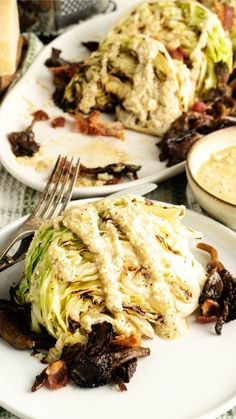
{"x":34,"y":91}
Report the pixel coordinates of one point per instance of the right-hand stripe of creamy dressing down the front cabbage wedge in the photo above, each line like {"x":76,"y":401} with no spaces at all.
{"x":140,"y":233}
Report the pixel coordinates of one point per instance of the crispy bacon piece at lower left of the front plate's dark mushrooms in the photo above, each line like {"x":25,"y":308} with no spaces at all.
{"x":55,"y":376}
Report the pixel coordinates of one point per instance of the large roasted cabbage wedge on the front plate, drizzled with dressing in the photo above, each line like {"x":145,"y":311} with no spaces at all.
{"x":123,"y":260}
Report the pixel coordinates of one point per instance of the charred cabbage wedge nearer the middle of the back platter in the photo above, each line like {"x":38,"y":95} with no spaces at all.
{"x":138,"y":78}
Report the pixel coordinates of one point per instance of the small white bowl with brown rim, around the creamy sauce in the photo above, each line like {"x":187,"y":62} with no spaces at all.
{"x":200,"y":152}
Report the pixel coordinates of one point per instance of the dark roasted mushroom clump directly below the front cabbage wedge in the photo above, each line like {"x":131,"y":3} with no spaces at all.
{"x":101,"y":363}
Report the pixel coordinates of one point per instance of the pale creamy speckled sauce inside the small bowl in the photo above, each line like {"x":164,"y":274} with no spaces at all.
{"x":218,"y":174}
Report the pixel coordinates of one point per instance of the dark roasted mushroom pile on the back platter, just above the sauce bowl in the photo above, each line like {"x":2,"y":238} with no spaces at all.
{"x":206,"y":115}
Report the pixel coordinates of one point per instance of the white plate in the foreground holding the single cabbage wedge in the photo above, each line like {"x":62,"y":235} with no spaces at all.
{"x":188,"y":378}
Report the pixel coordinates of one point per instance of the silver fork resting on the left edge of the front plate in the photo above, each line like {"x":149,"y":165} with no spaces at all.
{"x":52,"y":202}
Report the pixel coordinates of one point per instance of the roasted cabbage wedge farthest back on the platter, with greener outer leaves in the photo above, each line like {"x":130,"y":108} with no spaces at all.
{"x":187,"y":26}
